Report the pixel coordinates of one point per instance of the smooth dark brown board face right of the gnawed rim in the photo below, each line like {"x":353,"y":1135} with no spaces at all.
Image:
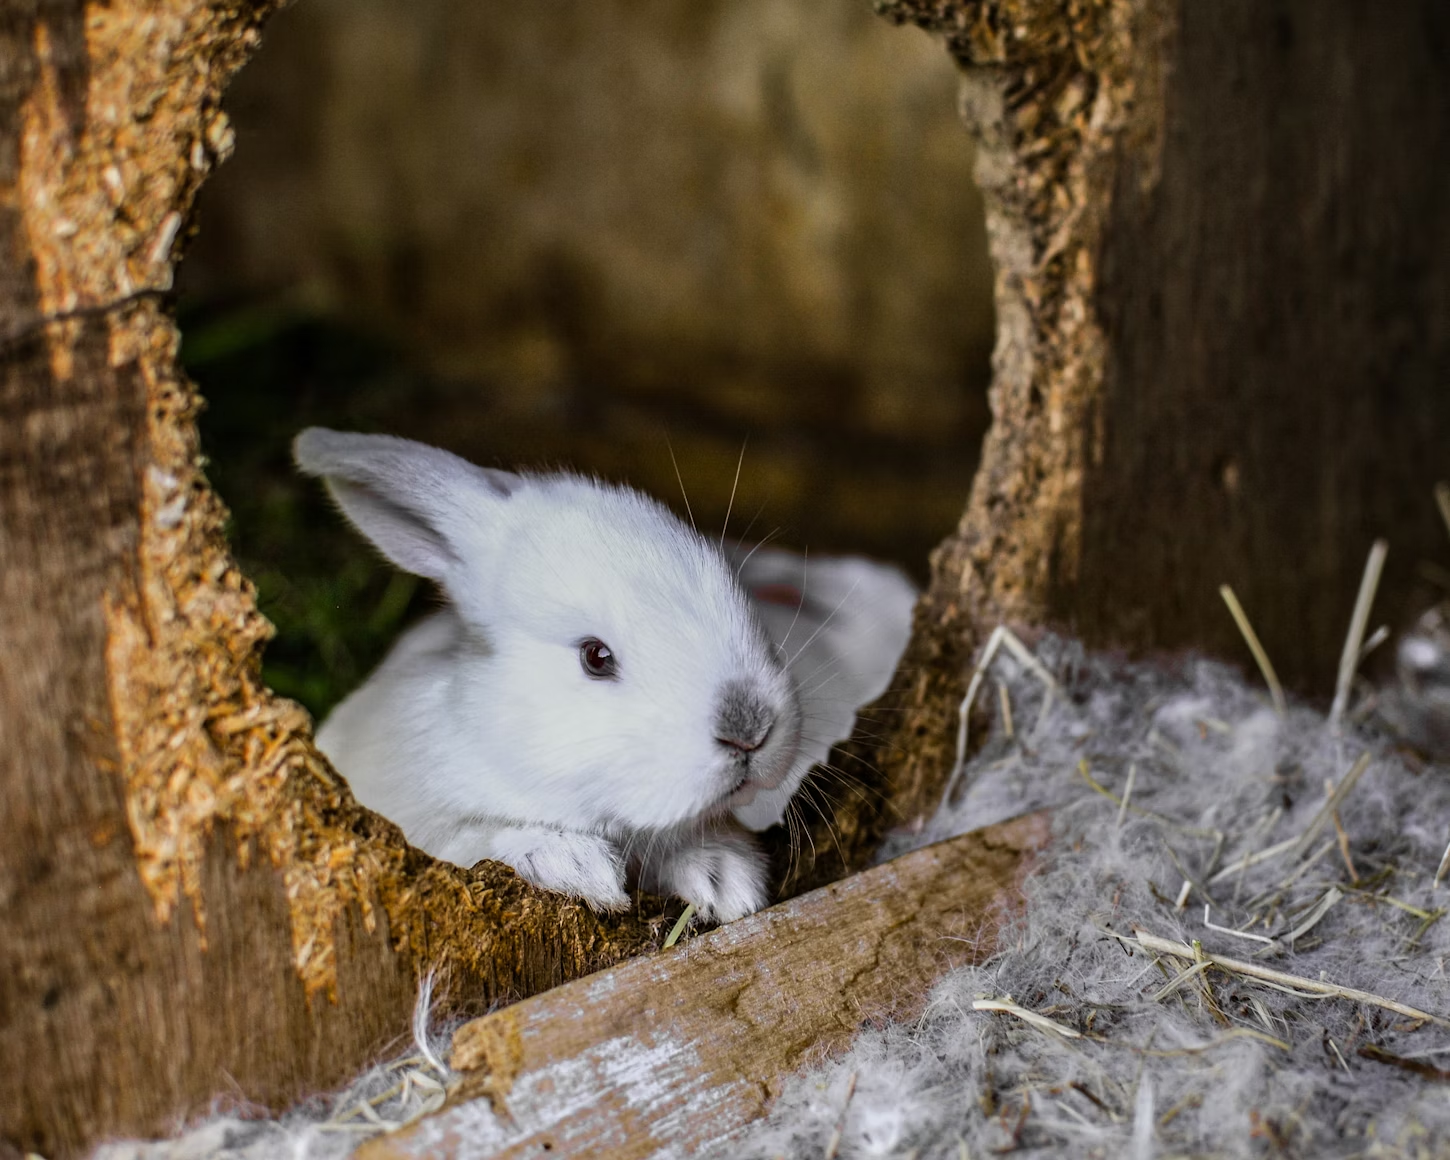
{"x":1277,"y":298}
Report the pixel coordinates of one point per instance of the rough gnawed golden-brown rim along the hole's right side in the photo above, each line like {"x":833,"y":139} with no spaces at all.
{"x":1055,"y":94}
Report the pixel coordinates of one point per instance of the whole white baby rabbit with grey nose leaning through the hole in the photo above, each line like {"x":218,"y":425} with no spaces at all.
{"x":600,"y":694}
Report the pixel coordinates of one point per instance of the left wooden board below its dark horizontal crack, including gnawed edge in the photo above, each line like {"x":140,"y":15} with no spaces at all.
{"x":194,"y":904}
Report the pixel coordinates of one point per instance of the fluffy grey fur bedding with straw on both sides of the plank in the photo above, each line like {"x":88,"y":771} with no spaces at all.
{"x":1090,"y":1045}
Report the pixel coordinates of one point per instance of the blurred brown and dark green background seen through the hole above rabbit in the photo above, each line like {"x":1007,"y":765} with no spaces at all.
{"x":582,"y":233}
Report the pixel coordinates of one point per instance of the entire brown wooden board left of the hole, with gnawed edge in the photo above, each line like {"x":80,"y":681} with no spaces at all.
{"x":192,"y":903}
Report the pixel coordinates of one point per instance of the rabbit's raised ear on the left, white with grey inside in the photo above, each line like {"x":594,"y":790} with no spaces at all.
{"x":413,"y":501}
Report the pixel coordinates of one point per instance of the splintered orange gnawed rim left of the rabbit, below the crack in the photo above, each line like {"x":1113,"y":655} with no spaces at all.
{"x":205,"y":746}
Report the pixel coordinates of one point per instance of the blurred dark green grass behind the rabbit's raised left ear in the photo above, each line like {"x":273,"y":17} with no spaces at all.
{"x":268,"y":372}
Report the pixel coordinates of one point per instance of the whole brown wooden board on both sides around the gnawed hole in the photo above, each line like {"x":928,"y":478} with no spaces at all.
{"x":1223,"y":279}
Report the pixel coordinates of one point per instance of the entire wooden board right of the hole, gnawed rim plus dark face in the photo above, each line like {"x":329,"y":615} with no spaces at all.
{"x":1225,"y":341}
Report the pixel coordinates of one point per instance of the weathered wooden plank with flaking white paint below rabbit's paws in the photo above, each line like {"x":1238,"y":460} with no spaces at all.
{"x":674,"y":1053}
